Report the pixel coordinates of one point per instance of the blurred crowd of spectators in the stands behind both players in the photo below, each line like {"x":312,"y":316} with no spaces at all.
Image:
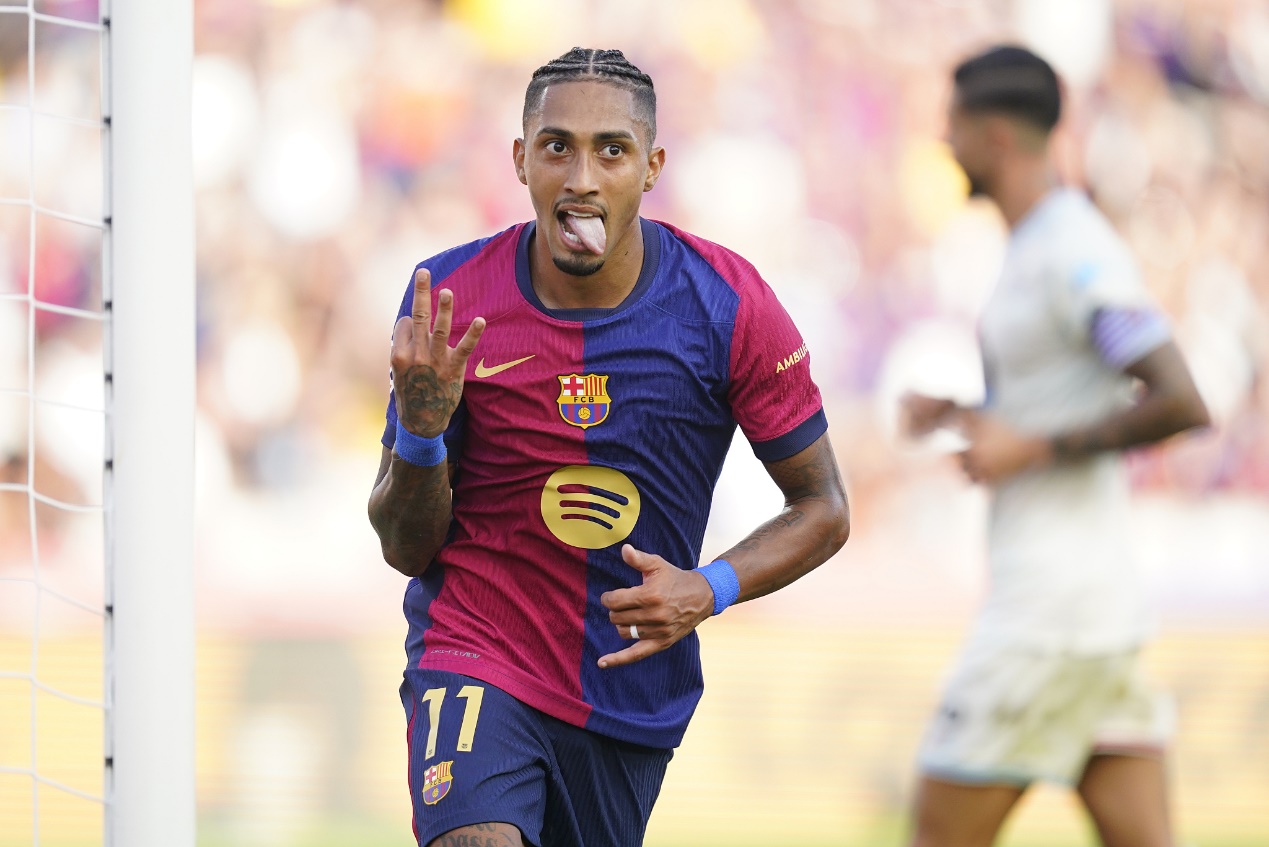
{"x":338,"y":143}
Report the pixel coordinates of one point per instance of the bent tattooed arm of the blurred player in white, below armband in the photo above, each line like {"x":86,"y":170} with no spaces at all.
{"x":1169,"y":404}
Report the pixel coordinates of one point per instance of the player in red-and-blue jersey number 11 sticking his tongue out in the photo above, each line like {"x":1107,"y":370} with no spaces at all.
{"x":546,"y":481}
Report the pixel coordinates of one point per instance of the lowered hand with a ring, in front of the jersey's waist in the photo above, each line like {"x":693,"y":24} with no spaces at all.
{"x":671,"y":604}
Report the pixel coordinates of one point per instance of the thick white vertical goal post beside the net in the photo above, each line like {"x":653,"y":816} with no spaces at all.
{"x":150,"y":425}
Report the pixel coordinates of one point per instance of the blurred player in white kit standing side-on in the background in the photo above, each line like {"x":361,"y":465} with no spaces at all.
{"x":1079,"y":366}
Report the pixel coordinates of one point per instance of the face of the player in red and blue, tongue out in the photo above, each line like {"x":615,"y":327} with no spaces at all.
{"x":587,"y":159}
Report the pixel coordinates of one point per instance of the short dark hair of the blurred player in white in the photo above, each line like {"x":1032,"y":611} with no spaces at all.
{"x":1011,"y":81}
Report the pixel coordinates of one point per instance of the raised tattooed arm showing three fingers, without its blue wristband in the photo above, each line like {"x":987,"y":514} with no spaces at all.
{"x":411,"y":506}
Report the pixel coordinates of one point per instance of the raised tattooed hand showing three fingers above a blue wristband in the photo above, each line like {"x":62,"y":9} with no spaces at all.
{"x":427,"y":373}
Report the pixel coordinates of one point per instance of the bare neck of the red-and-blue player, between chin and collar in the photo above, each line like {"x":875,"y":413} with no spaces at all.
{"x":606,"y":289}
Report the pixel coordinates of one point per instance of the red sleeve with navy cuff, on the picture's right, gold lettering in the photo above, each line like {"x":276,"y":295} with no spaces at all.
{"x":771,"y":392}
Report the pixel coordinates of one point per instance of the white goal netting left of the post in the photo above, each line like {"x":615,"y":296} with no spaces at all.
{"x":53,"y":423}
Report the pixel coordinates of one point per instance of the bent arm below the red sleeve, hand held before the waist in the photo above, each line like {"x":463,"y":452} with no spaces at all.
{"x":672,"y":603}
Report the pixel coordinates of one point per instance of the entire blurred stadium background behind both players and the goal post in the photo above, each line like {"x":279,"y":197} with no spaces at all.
{"x":337,"y":144}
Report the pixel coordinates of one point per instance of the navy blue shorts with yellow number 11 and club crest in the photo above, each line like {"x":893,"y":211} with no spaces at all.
{"x":480,"y":756}
